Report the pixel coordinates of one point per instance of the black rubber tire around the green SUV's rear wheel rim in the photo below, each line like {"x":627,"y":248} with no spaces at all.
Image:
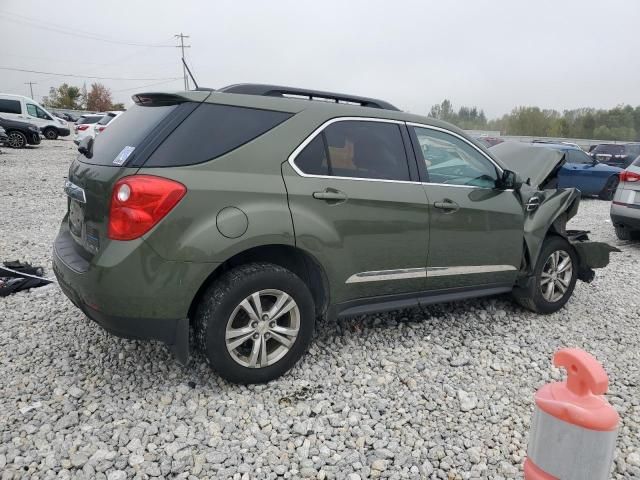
{"x":223,"y":298}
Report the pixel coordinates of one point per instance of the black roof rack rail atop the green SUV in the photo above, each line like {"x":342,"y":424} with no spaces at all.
{"x":291,"y":92}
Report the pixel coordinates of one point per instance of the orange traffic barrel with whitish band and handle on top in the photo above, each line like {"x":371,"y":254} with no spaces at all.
{"x":574,"y":428}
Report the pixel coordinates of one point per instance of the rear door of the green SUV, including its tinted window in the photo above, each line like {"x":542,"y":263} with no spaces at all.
{"x":358,"y":210}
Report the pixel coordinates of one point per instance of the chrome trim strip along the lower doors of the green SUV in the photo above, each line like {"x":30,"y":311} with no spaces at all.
{"x":408,"y":273}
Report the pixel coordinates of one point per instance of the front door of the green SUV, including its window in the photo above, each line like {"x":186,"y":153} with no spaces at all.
{"x":476,"y":237}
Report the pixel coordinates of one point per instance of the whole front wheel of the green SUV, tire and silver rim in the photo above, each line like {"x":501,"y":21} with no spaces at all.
{"x":554,"y":278}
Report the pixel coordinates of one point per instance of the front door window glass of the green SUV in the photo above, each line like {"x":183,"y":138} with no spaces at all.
{"x":450,"y":160}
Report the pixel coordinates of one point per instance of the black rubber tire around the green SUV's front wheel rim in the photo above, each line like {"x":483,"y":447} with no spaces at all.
{"x":532,"y":298}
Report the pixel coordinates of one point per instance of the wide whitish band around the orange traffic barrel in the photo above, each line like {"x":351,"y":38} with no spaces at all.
{"x":569,"y":452}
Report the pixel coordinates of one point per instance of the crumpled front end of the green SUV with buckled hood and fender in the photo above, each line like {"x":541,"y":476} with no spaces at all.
{"x":548,"y":209}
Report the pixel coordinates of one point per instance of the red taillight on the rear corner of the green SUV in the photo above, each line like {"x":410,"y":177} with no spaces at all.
{"x":139,"y":202}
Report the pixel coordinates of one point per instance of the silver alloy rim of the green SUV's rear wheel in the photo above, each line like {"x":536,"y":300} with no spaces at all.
{"x":262,"y":328}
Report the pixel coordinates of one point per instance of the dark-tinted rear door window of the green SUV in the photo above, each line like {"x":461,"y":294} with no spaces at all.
{"x":357,"y":149}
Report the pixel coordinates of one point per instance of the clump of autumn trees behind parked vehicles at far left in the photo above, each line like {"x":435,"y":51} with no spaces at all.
{"x":97,"y":99}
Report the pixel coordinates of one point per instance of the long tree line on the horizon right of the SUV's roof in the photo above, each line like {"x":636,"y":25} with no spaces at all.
{"x":619,"y":123}
